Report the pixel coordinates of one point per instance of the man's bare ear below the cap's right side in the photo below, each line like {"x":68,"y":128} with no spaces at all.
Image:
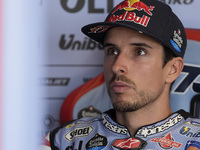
{"x":175,"y":67}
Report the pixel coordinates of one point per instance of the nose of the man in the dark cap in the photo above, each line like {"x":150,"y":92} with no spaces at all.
{"x":120,"y":65}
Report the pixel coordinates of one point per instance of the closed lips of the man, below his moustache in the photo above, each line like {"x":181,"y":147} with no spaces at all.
{"x":119,"y":87}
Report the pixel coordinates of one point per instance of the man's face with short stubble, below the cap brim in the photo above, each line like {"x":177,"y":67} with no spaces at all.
{"x":133,"y":66}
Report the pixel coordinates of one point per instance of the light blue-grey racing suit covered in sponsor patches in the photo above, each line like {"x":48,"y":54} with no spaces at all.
{"x":178,"y":131}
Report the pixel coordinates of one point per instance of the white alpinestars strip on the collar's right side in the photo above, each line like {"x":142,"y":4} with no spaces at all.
{"x":153,"y":130}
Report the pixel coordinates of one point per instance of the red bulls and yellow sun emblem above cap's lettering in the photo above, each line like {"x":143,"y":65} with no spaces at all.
{"x":130,"y":5}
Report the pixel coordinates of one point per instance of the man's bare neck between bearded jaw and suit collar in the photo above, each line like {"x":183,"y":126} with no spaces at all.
{"x":149,"y":114}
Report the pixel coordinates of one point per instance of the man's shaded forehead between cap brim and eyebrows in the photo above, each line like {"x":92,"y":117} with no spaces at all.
{"x":126,"y":35}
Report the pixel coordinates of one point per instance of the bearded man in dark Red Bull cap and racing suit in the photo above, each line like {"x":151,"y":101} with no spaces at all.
{"x":144,"y":44}
